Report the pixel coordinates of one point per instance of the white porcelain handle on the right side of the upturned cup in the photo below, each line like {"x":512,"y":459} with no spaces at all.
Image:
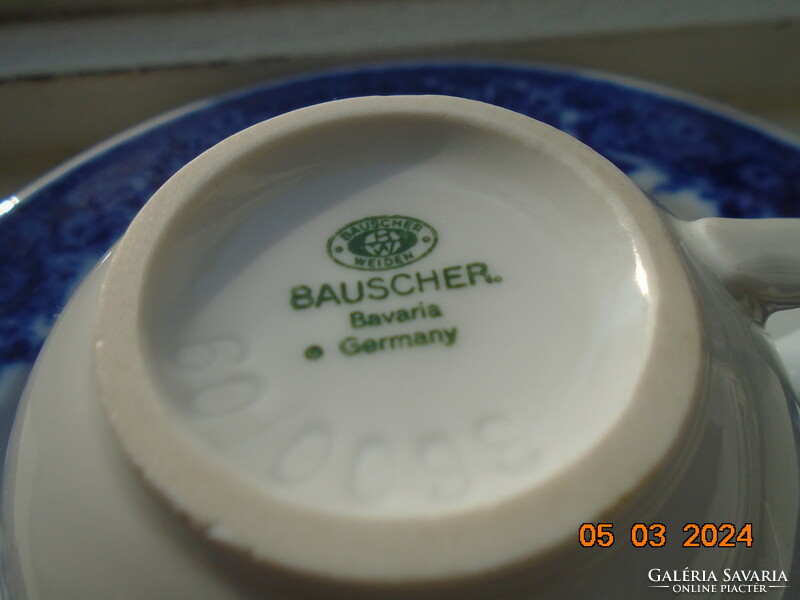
{"x":758,"y":260}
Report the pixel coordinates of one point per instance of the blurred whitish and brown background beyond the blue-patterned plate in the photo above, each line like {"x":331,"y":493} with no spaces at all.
{"x":73,"y":72}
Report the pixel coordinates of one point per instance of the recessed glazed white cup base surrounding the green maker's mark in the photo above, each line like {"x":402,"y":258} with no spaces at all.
{"x":543,"y":333}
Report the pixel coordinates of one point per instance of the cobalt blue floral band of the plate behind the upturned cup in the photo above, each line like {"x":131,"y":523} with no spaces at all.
{"x":50,"y":240}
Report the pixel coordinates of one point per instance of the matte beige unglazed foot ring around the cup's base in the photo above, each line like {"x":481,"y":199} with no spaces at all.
{"x":236,"y":512}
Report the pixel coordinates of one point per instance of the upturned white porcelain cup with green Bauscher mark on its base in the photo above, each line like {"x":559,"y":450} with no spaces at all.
{"x":411,"y":347}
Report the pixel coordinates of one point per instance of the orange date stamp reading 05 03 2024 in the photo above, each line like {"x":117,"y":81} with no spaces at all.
{"x":654,"y":535}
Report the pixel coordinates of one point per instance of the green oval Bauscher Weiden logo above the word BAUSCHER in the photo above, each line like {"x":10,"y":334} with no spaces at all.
{"x":382,"y":242}
